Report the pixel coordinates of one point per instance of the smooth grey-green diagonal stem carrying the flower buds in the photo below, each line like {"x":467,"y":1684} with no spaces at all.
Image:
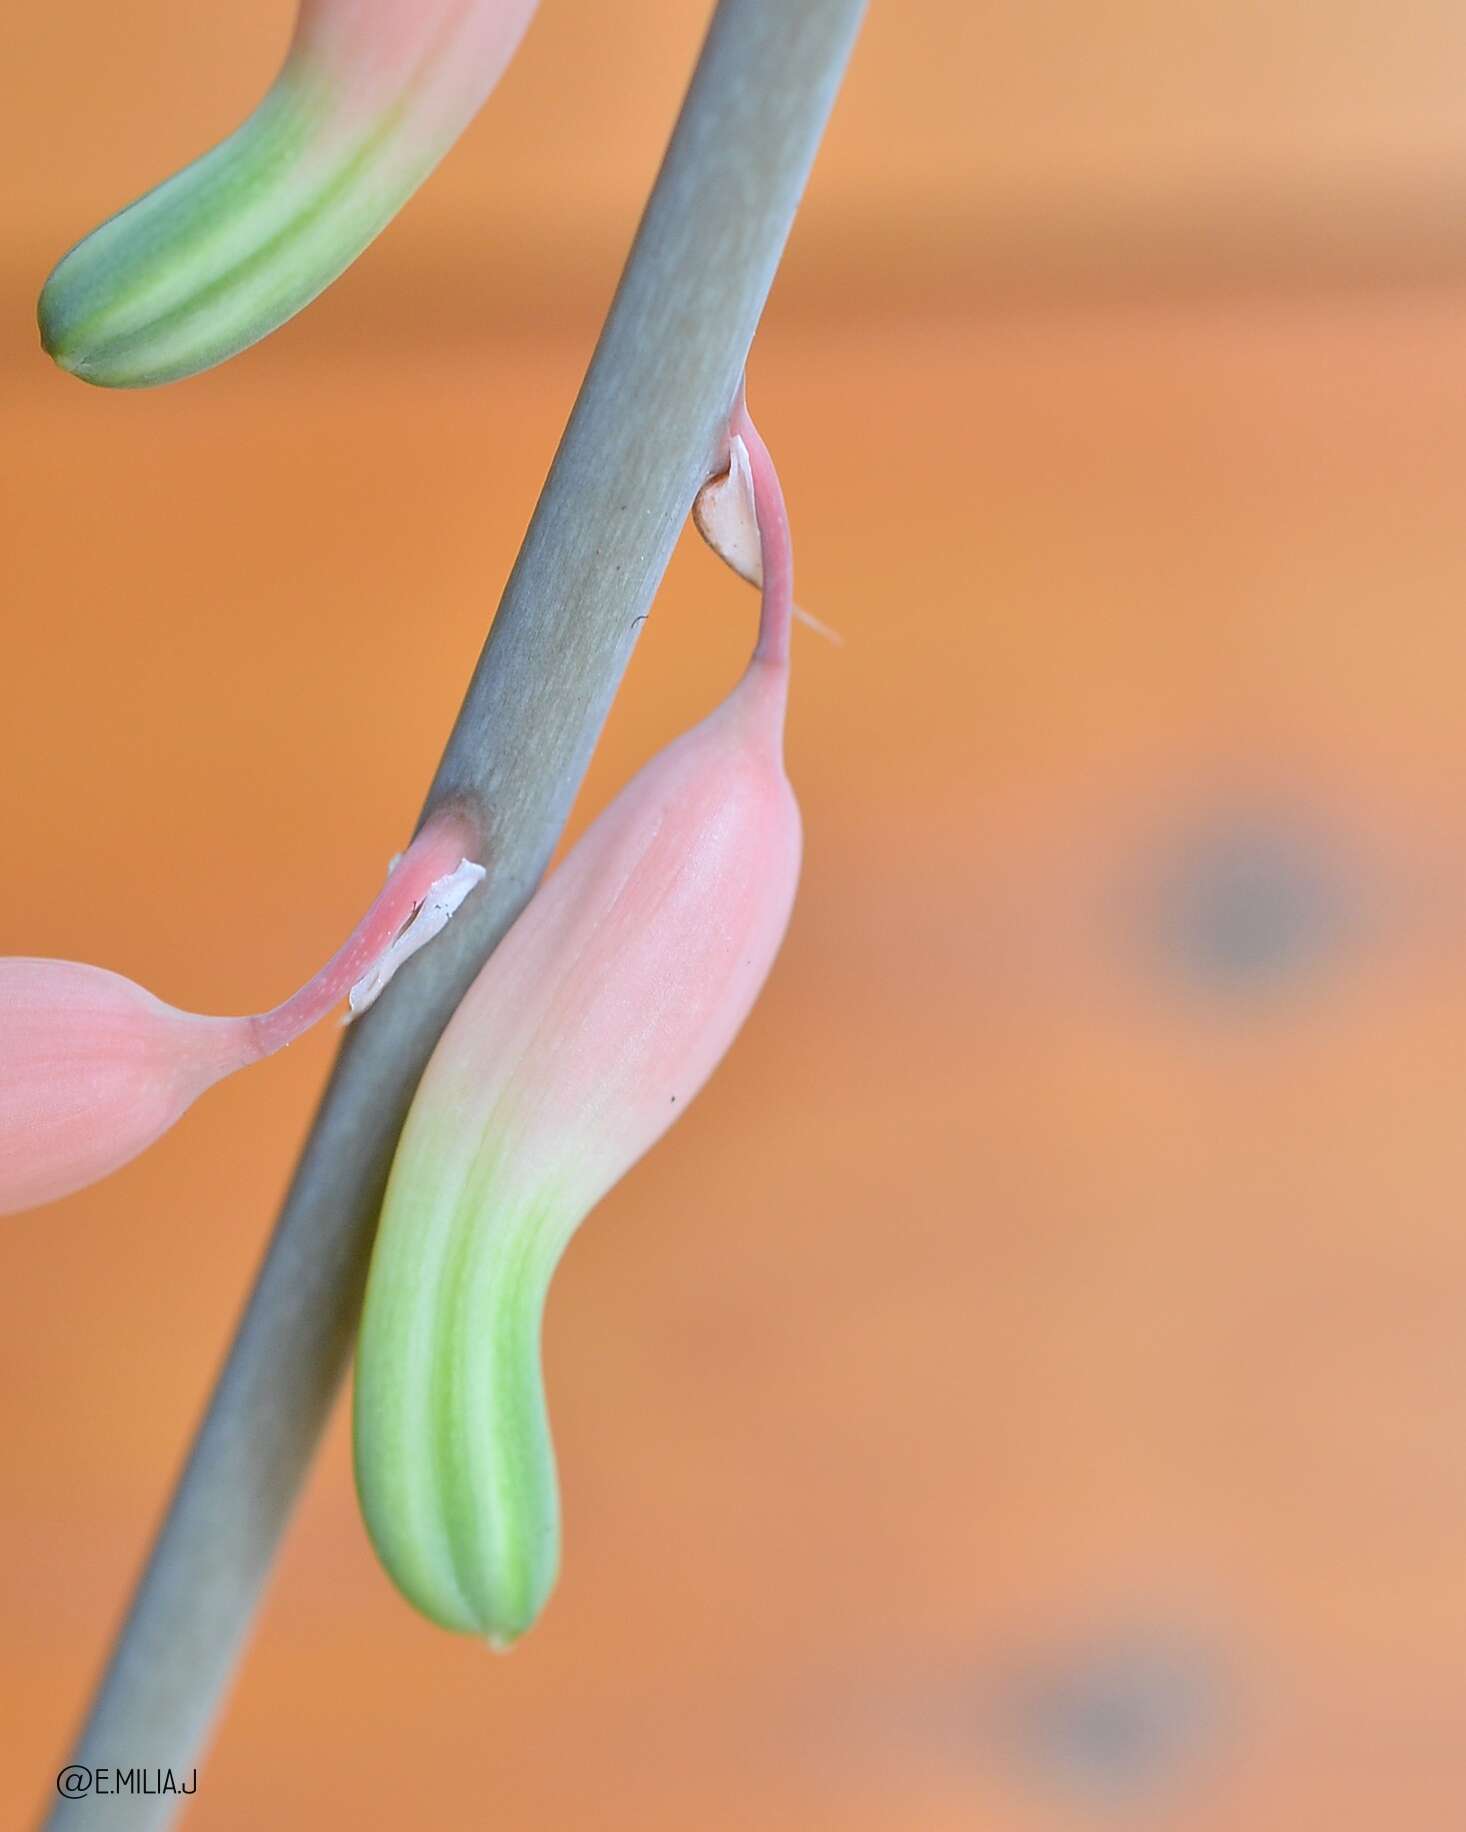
{"x":644,"y":435}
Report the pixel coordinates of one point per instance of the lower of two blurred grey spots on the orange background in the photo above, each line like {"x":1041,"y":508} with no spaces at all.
{"x":1119,"y":1719}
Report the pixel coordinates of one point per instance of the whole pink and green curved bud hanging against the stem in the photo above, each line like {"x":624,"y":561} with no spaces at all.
{"x":595,"y":1023}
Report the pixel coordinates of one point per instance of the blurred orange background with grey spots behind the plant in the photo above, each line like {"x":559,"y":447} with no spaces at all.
{"x":1027,"y":1391}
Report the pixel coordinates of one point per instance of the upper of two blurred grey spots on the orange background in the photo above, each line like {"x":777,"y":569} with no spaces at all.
{"x":1249,"y":904}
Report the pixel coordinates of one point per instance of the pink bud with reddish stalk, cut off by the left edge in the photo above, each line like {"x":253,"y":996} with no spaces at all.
{"x":94,"y":1069}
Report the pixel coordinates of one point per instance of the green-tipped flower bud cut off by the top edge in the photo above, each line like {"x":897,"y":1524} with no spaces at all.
{"x":371,"y":96}
